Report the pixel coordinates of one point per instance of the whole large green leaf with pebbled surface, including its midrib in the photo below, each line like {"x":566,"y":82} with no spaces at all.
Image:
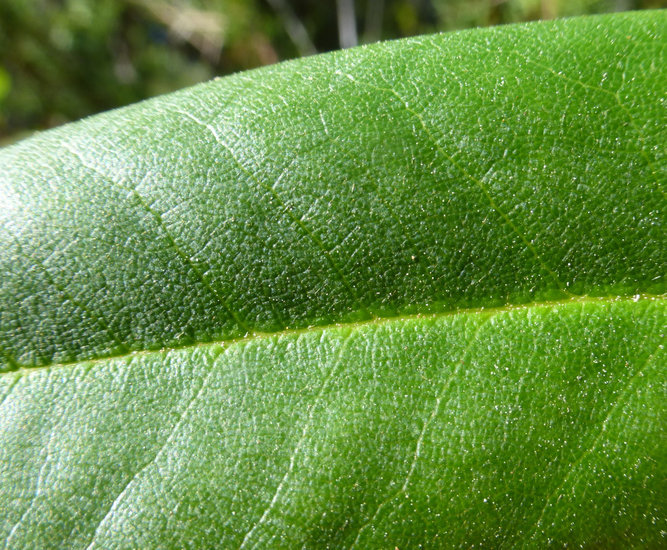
{"x":406,"y":295}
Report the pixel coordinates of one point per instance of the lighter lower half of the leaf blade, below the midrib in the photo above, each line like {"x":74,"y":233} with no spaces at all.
{"x":296,"y":416}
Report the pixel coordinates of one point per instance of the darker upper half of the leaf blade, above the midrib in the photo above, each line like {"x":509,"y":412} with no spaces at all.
{"x":263,"y":212}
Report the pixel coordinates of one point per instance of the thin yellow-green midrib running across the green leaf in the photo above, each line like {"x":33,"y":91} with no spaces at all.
{"x":354,"y":325}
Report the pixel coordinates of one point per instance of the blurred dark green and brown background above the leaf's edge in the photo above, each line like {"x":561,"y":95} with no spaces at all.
{"x":61,"y":60}
